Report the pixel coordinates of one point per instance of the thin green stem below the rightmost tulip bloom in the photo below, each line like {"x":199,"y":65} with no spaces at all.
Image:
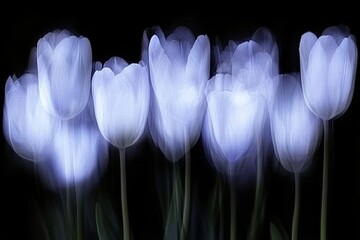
{"x":328,"y":131}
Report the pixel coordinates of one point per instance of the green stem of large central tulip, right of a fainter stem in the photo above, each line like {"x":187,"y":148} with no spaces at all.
{"x":186,"y":209}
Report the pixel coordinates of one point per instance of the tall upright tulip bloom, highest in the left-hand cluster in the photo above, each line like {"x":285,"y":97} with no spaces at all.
{"x":64,"y":68}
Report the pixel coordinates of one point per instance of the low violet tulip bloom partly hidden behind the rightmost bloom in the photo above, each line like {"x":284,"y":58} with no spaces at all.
{"x":296,"y":131}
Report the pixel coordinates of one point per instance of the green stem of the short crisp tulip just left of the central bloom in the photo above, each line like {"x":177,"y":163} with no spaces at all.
{"x":125,"y":216}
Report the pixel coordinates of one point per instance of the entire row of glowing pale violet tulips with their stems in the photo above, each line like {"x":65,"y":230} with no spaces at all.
{"x":65,"y":109}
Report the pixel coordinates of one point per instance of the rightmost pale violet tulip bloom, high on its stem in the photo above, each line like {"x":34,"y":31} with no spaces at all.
{"x":328,"y":67}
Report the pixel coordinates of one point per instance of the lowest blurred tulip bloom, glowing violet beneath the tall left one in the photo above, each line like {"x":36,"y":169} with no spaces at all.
{"x":78,"y":152}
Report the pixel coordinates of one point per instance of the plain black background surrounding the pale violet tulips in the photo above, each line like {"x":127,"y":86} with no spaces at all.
{"x":115,"y":34}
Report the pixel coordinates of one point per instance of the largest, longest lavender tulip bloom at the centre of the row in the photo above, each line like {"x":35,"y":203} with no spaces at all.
{"x":179,"y":70}
